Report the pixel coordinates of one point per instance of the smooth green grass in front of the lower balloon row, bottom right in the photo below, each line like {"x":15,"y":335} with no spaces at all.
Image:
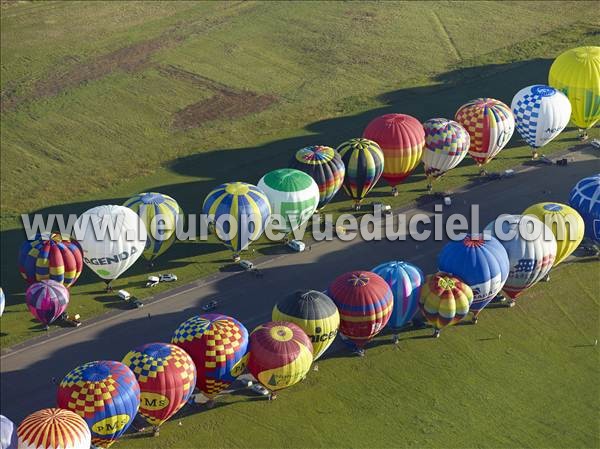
{"x":523,"y":377}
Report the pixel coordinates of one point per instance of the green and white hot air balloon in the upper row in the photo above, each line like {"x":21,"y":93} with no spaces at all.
{"x":293,"y":195}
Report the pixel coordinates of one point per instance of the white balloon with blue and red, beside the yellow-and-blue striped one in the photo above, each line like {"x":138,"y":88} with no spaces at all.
{"x":531,"y":250}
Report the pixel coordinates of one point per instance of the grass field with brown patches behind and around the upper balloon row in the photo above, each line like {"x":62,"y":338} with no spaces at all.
{"x":103,"y":100}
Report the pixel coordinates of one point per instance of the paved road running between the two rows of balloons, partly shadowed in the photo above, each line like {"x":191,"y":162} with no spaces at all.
{"x":26,"y":380}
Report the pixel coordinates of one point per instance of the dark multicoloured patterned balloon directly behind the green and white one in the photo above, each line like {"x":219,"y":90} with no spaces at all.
{"x":325,"y":166}
